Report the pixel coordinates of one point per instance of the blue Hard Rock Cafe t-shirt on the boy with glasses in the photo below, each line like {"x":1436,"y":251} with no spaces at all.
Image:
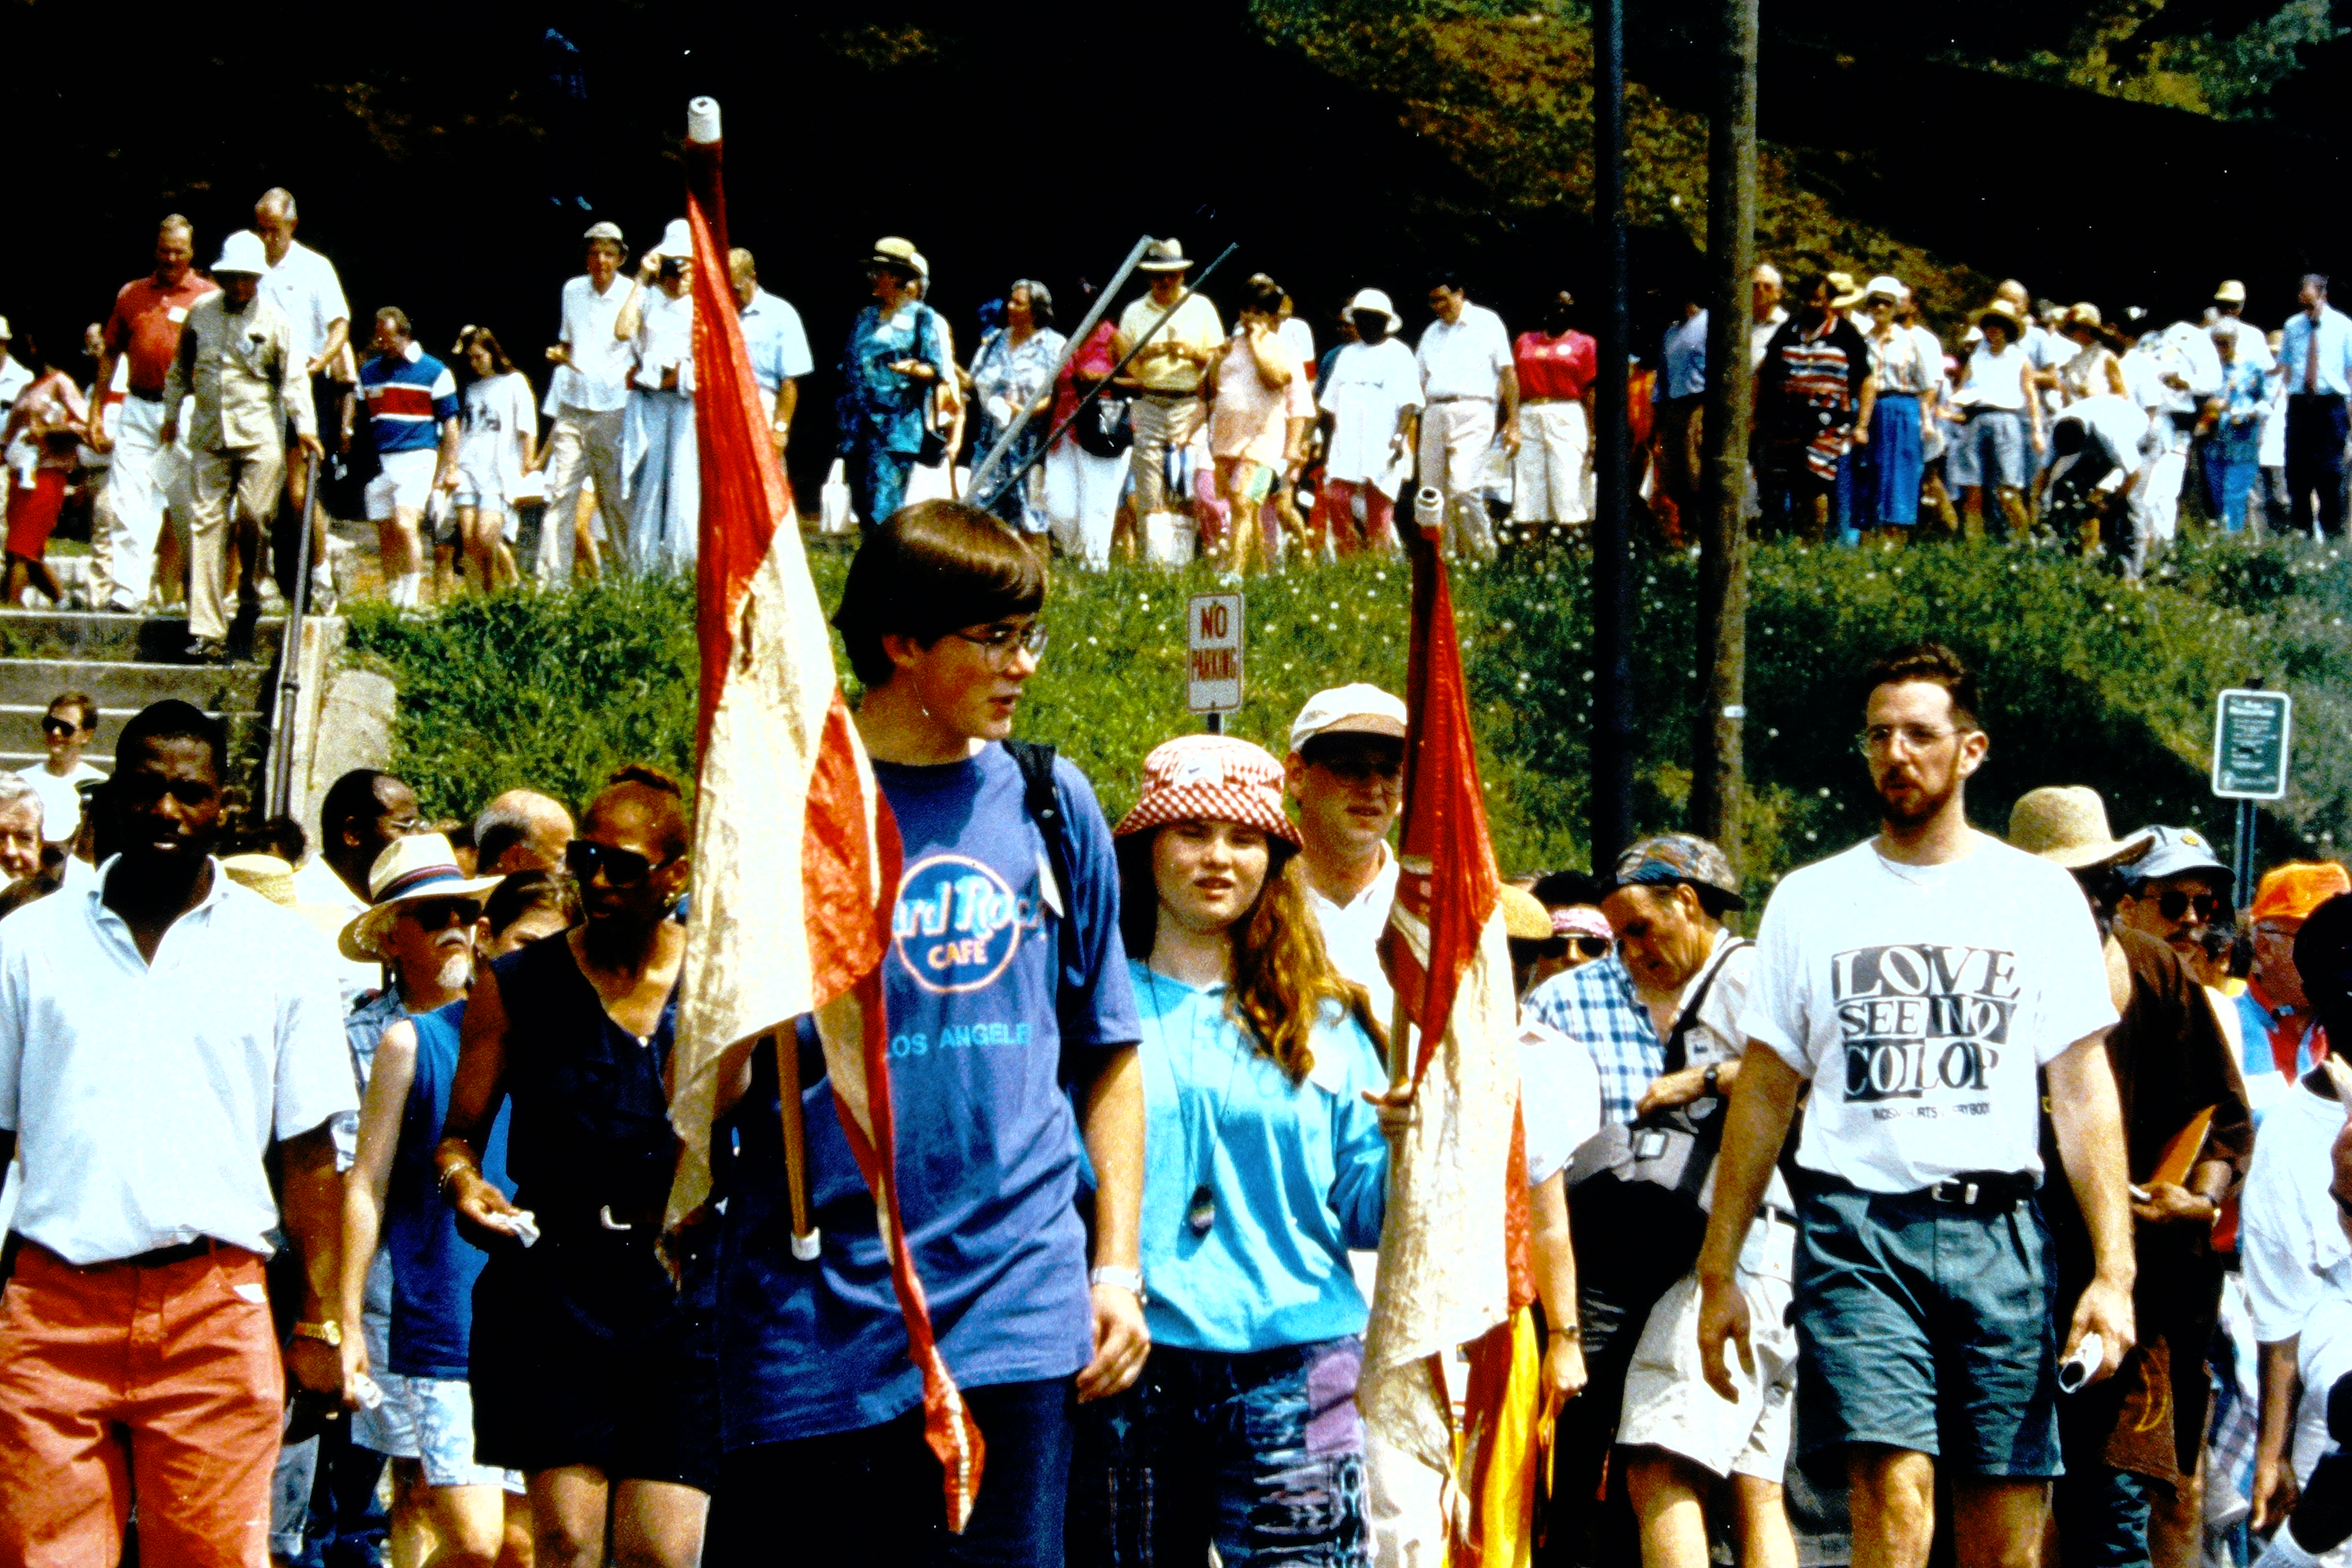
{"x":989,"y":1144}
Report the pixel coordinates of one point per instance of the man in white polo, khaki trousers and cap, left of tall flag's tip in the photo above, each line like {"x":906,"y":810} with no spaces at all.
{"x":584,"y":406}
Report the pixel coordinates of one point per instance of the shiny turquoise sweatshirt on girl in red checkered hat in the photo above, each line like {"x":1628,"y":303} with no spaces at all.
{"x":1297,"y":1177}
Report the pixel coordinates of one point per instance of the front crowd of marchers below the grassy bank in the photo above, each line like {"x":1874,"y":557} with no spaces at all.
{"x":2017,"y":1167}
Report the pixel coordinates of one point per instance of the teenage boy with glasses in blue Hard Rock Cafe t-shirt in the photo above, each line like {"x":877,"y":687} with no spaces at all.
{"x":1013,"y":1040}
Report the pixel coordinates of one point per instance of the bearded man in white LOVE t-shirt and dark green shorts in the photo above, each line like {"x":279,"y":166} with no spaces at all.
{"x":1920,"y":981}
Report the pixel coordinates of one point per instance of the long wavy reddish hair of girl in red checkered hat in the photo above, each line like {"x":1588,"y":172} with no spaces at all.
{"x":1281,"y":967}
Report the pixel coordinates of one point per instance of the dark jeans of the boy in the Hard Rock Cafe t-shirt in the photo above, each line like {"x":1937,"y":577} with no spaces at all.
{"x":881,"y":1492}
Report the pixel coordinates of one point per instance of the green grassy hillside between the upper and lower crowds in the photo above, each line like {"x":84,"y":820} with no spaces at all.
{"x":2087,"y":683}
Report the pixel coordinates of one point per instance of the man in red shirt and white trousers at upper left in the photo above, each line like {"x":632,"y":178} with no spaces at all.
{"x":149,"y":471}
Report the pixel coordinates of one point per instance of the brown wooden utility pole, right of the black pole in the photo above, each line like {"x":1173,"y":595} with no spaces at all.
{"x":1723,"y":535}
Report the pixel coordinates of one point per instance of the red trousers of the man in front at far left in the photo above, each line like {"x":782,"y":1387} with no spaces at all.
{"x":156,"y":1383}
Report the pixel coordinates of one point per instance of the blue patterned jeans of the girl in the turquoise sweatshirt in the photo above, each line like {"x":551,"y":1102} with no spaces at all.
{"x":1259,"y":1456}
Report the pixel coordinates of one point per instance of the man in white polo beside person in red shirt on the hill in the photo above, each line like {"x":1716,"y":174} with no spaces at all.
{"x":1466,"y":375}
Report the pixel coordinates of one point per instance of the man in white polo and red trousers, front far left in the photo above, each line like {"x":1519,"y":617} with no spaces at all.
{"x":161,"y":1038}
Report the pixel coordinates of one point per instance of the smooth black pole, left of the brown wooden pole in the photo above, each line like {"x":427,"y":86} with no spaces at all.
{"x":1612,"y":570}
